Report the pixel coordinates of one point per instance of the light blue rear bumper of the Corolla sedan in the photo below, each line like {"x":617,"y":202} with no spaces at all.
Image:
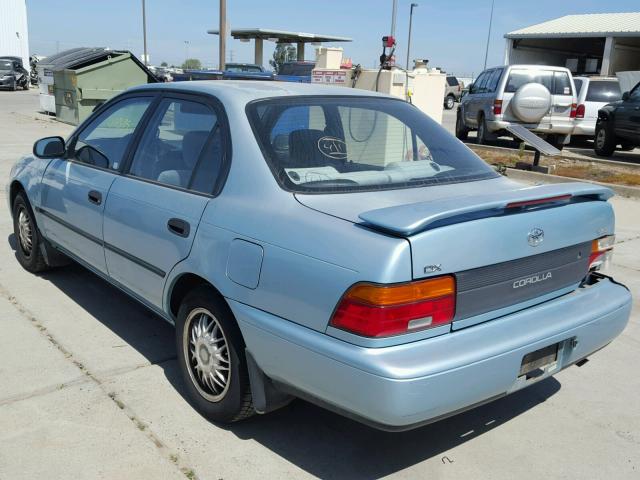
{"x":404,"y":386}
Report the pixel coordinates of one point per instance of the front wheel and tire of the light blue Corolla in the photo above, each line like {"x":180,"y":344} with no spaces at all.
{"x":27,"y":235}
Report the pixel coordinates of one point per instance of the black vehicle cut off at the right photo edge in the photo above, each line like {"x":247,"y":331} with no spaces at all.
{"x":619,"y":124}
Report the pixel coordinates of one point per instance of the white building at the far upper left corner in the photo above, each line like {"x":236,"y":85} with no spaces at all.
{"x":14,"y":34}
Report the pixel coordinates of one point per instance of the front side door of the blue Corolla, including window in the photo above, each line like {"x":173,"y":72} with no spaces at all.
{"x":74,"y":190}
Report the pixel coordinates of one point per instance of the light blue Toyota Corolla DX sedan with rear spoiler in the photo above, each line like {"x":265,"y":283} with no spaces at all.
{"x":324,"y":243}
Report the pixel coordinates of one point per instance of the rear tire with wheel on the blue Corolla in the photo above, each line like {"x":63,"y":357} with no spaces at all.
{"x":204,"y":316}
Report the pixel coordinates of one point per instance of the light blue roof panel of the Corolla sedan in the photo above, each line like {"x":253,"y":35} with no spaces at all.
{"x":244,"y":91}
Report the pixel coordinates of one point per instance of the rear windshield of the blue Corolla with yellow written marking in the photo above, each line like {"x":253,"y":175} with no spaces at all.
{"x":337,"y":144}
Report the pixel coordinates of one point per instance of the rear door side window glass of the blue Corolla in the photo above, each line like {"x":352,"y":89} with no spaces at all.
{"x":181,"y":147}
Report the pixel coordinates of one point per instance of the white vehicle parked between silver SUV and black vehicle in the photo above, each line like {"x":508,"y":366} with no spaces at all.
{"x":593,"y":94}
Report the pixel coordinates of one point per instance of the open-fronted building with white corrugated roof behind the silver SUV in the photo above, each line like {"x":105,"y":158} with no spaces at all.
{"x":602,"y":43}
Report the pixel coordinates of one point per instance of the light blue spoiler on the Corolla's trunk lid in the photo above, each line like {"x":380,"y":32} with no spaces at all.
{"x":410,"y":219}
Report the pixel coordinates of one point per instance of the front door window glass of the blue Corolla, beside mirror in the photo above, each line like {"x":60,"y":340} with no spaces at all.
{"x":104,"y":141}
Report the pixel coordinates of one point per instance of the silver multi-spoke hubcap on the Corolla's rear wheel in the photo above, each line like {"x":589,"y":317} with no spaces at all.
{"x":207,"y":354}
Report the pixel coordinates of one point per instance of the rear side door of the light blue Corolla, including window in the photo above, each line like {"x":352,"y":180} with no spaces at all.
{"x":154,"y":209}
